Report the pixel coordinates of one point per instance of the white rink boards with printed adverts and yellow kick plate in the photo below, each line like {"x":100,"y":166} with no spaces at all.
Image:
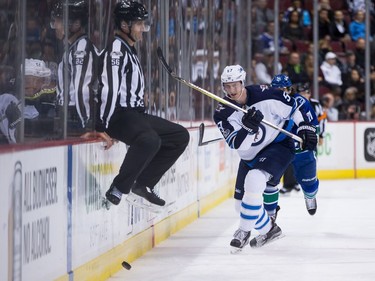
{"x":53,"y":225}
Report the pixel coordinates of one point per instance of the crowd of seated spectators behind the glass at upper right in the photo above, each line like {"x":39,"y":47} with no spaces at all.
{"x":341,"y":34}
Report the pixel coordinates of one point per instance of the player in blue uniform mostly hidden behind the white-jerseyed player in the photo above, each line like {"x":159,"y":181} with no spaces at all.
{"x":304,"y":163}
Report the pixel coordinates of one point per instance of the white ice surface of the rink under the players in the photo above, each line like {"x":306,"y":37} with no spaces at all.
{"x":338,"y":243}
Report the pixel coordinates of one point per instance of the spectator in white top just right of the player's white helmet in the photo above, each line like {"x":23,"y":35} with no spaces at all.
{"x":264,"y":69}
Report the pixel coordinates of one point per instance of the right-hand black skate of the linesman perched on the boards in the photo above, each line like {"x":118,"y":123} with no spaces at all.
{"x":145,"y":198}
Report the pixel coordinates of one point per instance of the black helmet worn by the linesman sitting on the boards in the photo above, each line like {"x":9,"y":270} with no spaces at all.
{"x":129,"y":11}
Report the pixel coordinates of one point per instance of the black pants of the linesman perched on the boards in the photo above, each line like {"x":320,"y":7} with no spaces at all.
{"x":154,"y":146}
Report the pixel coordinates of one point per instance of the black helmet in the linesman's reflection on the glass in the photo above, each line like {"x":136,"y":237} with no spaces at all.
{"x":77,"y":10}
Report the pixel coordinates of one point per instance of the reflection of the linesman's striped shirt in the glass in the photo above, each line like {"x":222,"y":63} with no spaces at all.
{"x":81,"y":60}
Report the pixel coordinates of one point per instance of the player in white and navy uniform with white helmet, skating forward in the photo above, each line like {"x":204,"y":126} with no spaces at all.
{"x":265,"y":152}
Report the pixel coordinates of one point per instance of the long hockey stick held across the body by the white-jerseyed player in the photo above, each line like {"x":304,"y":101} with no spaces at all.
{"x":217,"y":98}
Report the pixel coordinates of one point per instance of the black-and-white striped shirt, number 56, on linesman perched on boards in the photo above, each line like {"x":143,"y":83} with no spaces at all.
{"x":122,"y":81}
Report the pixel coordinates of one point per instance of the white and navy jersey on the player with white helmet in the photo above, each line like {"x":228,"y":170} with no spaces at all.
{"x":277,"y":107}
